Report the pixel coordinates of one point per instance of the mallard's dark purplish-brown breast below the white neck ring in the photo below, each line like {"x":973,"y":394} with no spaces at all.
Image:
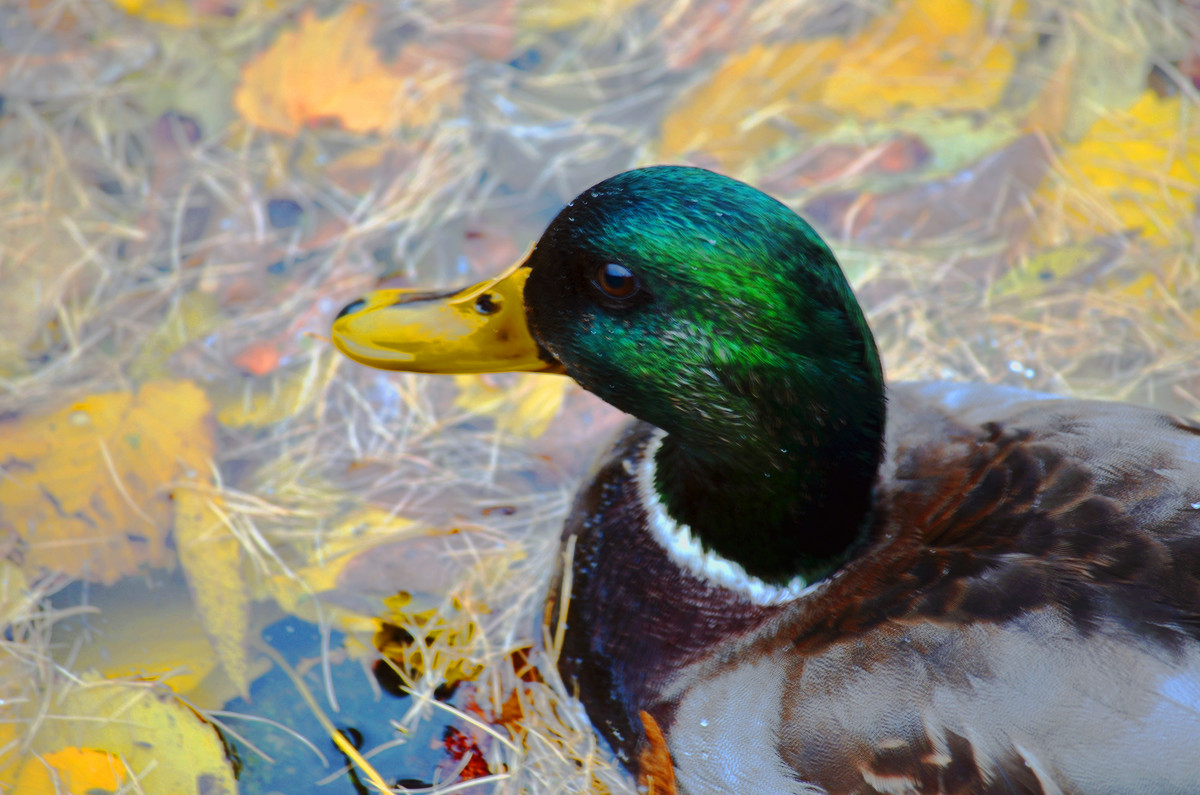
{"x":637,"y":615}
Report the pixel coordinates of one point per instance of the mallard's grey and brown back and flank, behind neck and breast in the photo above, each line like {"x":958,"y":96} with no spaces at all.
{"x":1027,"y":618}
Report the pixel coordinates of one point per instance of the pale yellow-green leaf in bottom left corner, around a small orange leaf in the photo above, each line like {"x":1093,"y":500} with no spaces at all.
{"x":160,"y":740}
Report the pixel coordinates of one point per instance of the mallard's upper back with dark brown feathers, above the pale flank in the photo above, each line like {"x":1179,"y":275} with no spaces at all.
{"x":994,"y":503}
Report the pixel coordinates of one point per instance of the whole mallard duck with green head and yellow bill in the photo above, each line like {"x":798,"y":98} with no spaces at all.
{"x":808,"y":582}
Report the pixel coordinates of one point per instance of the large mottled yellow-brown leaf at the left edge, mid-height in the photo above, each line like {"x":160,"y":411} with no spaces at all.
{"x":86,"y":488}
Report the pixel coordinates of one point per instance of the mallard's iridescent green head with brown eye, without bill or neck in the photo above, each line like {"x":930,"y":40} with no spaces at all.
{"x":697,"y":303}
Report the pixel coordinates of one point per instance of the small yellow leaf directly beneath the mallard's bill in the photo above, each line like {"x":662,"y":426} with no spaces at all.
{"x":525,"y":409}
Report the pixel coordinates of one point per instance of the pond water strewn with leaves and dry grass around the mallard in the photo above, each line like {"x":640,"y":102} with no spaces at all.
{"x":211,"y":515}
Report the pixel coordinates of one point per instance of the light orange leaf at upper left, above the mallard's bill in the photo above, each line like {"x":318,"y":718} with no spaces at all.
{"x":327,"y":70}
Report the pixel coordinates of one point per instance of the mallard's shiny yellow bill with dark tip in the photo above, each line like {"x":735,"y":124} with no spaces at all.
{"x":478,"y":330}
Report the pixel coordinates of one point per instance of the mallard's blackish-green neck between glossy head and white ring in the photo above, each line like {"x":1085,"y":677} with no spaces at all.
{"x":791,"y":497}
